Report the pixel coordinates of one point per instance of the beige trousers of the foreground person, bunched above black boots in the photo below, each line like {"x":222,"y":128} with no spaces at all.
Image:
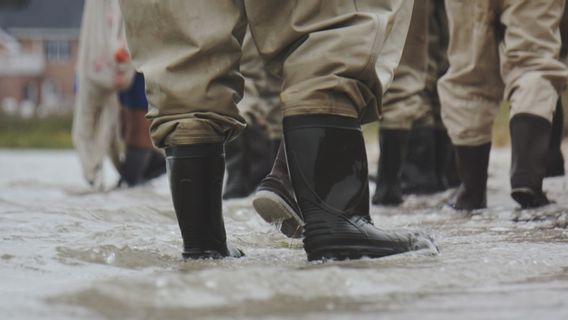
{"x":334,"y":57}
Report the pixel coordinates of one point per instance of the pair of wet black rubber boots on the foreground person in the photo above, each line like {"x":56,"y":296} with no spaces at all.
{"x":326,"y":161}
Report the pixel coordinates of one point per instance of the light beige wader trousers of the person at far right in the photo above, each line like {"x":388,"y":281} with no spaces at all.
{"x":498,"y":47}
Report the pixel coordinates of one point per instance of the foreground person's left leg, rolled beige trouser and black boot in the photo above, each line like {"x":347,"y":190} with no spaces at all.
{"x":192,"y":105}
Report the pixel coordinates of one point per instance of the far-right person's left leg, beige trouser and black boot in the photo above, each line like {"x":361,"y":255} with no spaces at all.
{"x":470,"y":93}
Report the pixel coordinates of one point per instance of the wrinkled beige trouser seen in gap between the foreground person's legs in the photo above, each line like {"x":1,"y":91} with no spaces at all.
{"x":261,"y":100}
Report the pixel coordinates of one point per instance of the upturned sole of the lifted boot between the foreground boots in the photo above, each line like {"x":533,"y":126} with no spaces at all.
{"x":274,"y":210}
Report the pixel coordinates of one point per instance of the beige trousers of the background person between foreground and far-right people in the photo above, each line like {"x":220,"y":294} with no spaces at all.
{"x":412,"y":99}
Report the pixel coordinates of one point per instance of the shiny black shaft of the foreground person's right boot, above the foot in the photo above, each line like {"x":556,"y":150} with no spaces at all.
{"x":328,"y":165}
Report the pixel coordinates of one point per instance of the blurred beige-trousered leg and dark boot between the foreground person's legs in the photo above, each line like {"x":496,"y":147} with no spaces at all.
{"x":250,"y":155}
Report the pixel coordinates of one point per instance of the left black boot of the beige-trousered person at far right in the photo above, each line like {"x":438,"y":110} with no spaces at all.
{"x":472,"y":163}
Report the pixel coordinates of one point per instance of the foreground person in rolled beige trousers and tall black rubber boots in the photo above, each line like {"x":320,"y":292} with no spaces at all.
{"x":334,"y":57}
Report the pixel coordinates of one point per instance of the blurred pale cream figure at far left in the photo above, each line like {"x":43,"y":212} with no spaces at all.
{"x":96,"y":129}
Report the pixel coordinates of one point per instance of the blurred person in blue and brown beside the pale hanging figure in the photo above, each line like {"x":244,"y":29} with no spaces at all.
{"x":142,"y":162}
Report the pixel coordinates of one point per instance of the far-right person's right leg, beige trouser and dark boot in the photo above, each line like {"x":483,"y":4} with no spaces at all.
{"x":534,"y":76}
